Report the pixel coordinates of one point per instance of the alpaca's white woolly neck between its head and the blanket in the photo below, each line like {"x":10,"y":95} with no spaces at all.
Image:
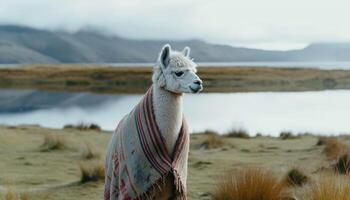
{"x":168,"y":113}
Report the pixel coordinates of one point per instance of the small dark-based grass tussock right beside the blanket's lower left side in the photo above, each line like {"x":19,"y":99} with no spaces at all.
{"x":91,"y":171}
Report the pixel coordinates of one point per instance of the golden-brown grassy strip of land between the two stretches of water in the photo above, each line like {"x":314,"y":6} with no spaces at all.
{"x":105,"y":79}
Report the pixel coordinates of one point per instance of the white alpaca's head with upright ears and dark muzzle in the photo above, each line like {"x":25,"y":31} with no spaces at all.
{"x":176,"y":72}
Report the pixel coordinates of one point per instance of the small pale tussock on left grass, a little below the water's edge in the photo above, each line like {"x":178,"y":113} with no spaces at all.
{"x":52,"y":142}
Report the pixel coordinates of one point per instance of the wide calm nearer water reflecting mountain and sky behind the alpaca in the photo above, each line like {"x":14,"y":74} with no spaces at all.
{"x":325,"y":112}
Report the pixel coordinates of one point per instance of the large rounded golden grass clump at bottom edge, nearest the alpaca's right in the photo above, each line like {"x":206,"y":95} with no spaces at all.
{"x":249,"y":184}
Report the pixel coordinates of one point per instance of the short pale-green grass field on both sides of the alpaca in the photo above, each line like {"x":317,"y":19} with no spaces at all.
{"x":40,"y":167}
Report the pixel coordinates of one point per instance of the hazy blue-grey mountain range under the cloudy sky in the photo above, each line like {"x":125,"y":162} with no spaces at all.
{"x":27,"y":45}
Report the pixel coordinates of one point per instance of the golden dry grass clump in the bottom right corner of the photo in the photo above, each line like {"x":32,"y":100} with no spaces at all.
{"x":328,"y":187}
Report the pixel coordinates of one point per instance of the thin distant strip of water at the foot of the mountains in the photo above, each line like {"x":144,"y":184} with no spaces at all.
{"x":320,"y":65}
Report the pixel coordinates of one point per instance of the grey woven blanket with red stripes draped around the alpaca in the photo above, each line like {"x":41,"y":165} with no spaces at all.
{"x":137,"y":158}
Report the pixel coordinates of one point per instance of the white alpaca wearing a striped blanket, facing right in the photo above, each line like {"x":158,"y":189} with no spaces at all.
{"x":147,"y":155}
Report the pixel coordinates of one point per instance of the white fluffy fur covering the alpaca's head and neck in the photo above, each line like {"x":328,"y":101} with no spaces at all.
{"x":168,"y":91}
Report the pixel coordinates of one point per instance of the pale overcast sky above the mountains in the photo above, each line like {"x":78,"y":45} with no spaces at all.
{"x":268,"y":24}
